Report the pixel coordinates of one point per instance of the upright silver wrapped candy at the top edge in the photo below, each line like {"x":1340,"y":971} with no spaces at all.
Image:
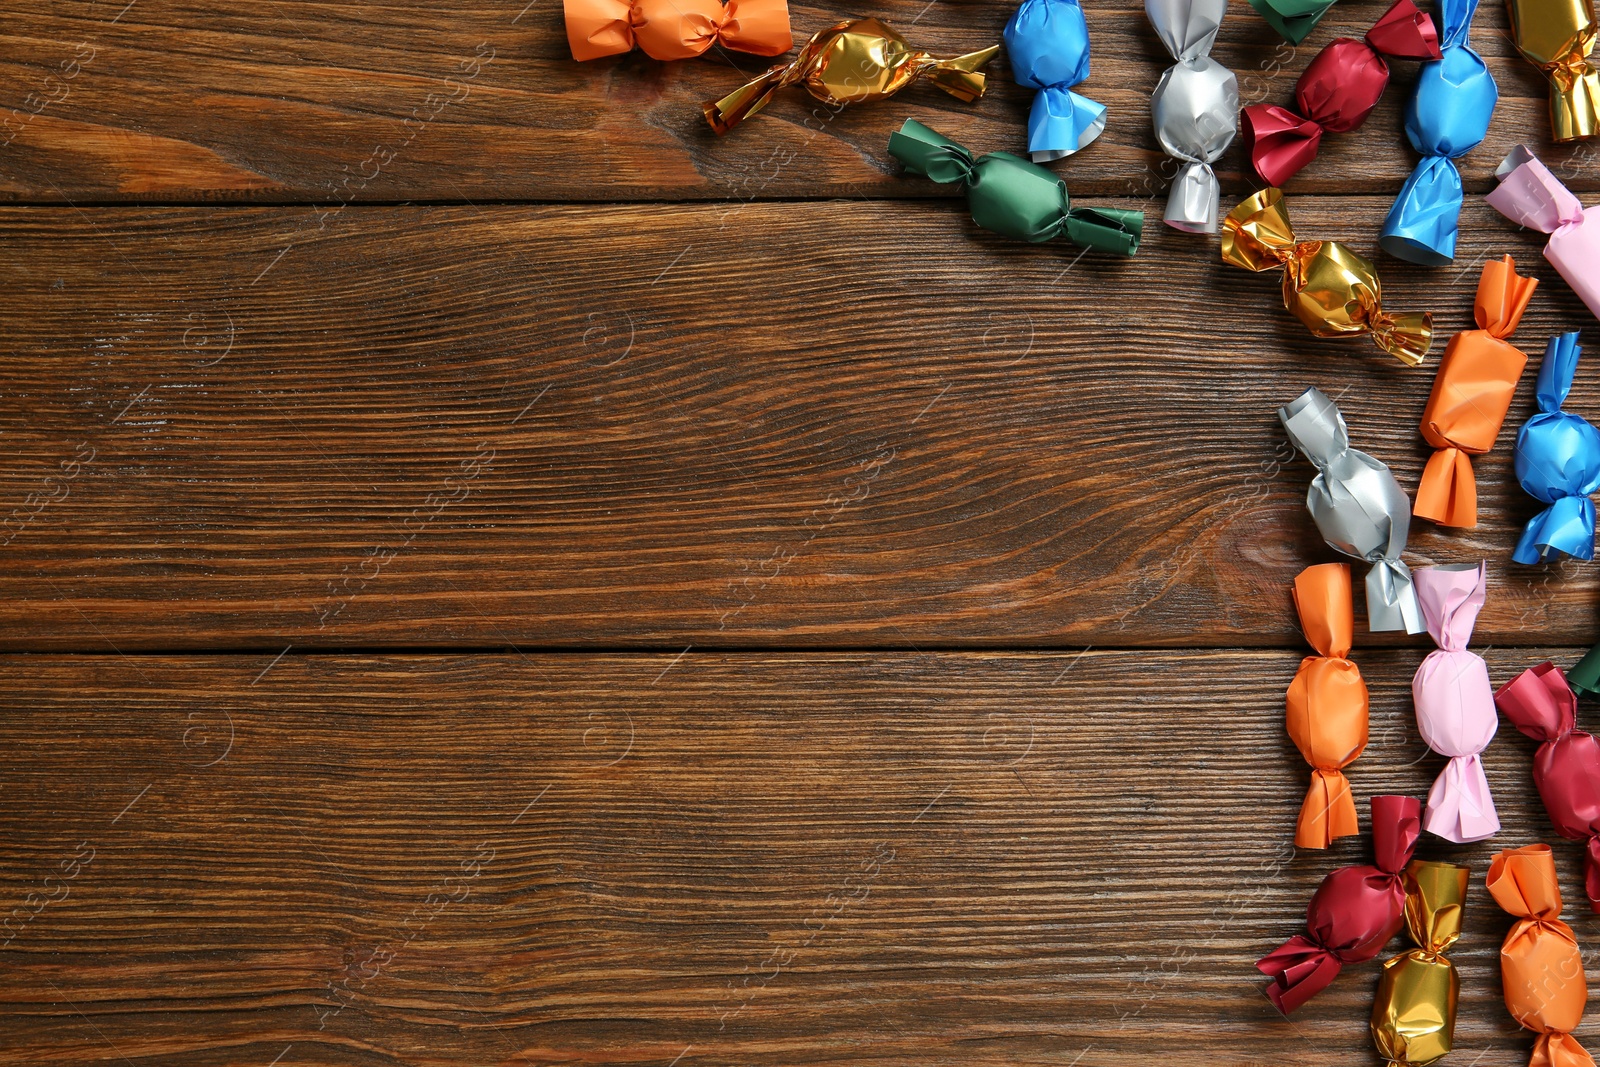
{"x":1194,"y":108}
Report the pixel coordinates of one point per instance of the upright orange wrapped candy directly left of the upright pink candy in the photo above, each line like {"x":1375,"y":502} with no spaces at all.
{"x":1326,"y":709}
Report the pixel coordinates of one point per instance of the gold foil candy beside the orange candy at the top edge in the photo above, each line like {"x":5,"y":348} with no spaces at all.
{"x":849,"y":63}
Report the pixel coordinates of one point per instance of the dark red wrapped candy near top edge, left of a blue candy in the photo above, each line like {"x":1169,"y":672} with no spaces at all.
{"x":1335,"y":94}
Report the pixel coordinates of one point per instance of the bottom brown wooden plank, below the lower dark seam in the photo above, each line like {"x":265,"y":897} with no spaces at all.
{"x":754,"y":858}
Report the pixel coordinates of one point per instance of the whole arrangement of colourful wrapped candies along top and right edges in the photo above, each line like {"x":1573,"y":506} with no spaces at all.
{"x":1356,"y":502}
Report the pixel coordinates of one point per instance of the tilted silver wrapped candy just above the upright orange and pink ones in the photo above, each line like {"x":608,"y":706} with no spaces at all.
{"x":1359,"y":510}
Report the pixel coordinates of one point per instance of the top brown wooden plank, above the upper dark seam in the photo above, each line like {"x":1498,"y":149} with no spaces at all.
{"x":193,"y":100}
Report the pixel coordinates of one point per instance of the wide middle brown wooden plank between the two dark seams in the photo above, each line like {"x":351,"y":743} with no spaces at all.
{"x":694,"y":425}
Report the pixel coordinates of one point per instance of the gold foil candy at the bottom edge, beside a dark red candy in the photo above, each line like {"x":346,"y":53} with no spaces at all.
{"x":1415,"y":1009}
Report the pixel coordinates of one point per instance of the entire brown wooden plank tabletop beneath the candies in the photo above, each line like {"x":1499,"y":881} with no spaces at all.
{"x":497,"y":575}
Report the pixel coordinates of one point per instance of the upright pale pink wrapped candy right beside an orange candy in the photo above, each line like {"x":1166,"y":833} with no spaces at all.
{"x":1455,"y":705}
